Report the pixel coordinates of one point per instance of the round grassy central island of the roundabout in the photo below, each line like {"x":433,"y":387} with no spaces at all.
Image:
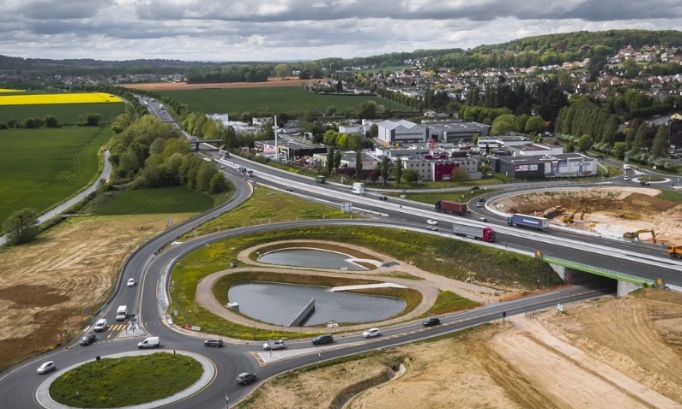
{"x":125,"y":381}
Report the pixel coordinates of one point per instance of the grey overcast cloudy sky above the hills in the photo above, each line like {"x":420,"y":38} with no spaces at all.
{"x":278,"y":30}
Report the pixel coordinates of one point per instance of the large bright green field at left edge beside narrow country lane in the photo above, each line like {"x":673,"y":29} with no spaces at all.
{"x":40,"y":168}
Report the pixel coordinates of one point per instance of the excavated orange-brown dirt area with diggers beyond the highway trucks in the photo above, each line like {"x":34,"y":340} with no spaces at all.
{"x":607,"y":211}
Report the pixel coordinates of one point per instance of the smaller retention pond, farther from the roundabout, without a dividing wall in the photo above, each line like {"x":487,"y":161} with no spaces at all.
{"x":310,"y":258}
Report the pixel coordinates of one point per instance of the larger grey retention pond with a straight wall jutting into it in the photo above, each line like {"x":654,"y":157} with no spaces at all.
{"x":280,"y":304}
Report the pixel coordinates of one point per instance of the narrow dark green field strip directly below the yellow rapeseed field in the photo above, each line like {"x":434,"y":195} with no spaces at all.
{"x":66,"y":114}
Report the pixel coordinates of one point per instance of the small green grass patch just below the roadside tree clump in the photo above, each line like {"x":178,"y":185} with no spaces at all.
{"x":157,"y":201}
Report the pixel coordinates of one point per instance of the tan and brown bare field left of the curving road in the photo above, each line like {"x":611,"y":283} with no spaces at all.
{"x":51,"y":288}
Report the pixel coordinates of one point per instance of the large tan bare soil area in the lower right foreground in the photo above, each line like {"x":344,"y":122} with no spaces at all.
{"x":603,"y":353}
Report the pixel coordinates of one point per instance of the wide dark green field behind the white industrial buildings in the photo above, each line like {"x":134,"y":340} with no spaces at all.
{"x":275,"y":99}
